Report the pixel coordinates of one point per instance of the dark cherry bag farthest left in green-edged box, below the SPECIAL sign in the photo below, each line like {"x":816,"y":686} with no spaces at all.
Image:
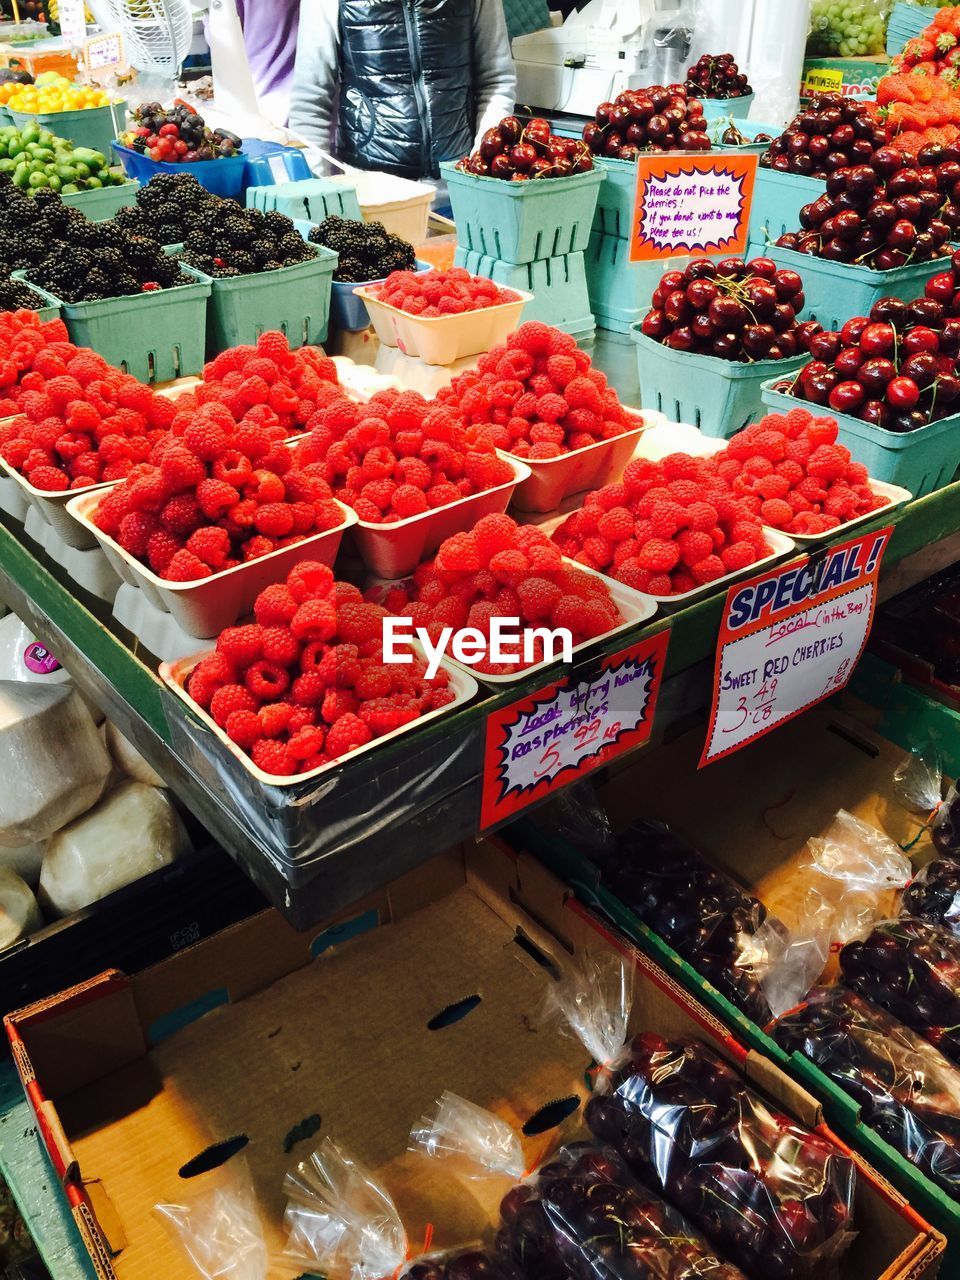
{"x":724,"y":932}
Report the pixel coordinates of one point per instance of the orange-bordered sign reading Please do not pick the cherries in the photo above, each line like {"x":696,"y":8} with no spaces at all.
{"x":692,"y":204}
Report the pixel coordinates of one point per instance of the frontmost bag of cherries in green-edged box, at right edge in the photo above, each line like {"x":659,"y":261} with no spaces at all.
{"x":908,"y":1092}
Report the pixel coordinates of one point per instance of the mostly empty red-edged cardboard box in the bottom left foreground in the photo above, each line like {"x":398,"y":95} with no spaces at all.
{"x":257,"y":1028}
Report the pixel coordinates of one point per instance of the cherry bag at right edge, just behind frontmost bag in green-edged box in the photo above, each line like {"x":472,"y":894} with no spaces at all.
{"x":912,"y":970}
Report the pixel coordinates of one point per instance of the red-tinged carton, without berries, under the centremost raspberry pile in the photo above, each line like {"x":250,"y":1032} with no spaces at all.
{"x":396,"y":550}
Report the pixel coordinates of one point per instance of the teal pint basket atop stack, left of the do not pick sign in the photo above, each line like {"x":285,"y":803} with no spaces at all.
{"x":523,"y":222}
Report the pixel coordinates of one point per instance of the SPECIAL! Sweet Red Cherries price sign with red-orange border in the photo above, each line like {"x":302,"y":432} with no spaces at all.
{"x":790,"y":639}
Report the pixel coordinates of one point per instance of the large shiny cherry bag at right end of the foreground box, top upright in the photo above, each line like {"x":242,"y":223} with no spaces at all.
{"x":772,"y":1196}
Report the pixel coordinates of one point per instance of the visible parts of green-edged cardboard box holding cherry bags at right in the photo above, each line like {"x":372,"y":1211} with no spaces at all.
{"x":752,"y":816}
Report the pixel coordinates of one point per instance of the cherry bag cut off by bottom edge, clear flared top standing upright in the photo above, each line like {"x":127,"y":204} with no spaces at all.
{"x":342,"y":1223}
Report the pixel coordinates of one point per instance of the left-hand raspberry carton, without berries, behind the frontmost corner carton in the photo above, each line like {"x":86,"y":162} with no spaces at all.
{"x":203,"y":609}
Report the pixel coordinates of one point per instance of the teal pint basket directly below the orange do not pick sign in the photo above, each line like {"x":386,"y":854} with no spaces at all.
{"x":717,"y":396}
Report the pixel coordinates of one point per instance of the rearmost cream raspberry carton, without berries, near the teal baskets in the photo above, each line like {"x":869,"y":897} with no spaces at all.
{"x":444,"y":340}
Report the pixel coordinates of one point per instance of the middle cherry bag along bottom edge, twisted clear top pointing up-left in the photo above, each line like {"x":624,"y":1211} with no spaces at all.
{"x":580,"y":1215}
